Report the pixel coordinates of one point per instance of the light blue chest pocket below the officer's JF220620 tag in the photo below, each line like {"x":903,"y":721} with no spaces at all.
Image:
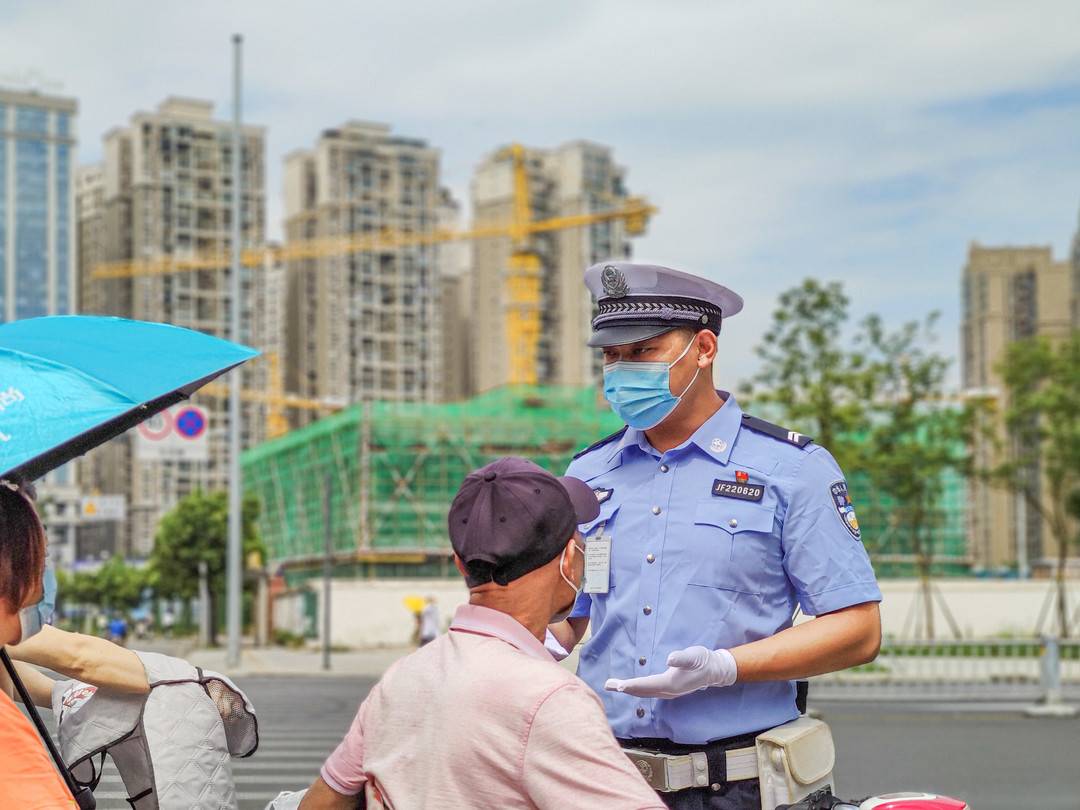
{"x":736,"y":545}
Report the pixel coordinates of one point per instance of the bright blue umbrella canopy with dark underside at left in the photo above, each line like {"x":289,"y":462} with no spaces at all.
{"x":72,"y":383}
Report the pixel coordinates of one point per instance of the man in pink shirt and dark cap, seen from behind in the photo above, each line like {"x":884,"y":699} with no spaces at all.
{"x":483,"y":718}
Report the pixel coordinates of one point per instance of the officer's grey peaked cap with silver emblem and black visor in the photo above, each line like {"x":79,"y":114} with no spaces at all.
{"x":639,"y":302}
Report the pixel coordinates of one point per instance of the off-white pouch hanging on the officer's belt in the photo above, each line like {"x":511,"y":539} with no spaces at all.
{"x":794,"y":761}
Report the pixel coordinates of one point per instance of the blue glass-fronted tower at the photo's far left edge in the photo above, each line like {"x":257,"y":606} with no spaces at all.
{"x":37,"y":215}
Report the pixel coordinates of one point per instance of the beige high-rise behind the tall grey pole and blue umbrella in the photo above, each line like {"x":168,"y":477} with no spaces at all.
{"x":164,"y":190}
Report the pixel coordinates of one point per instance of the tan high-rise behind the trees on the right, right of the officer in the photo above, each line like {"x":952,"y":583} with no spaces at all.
{"x":1009,"y":294}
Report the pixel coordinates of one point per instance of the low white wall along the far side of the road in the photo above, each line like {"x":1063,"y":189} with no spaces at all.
{"x":372,"y":613}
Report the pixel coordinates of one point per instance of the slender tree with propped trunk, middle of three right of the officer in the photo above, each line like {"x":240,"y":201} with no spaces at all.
{"x":914,"y":437}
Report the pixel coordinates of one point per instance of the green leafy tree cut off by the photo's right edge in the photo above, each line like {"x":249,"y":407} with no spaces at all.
{"x":1042,"y":464}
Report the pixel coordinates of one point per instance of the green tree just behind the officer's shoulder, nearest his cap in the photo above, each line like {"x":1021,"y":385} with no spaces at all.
{"x":808,"y":372}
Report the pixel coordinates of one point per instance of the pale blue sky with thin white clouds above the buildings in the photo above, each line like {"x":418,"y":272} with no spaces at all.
{"x":868,"y":143}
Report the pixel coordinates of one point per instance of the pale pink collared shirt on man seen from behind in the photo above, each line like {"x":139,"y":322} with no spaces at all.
{"x":483,"y":718}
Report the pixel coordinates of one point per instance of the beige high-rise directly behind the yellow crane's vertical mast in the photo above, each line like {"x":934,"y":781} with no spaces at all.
{"x":578,"y":178}
